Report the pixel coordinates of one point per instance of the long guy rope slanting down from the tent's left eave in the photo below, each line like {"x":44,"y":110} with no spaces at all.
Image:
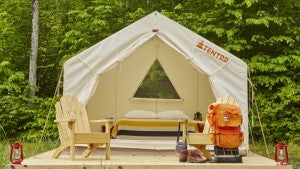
{"x":56,"y":93}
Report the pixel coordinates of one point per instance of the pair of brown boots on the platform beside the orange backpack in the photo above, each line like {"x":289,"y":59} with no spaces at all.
{"x":191,"y":156}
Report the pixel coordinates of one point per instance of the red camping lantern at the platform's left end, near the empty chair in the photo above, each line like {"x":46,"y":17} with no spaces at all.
{"x":16,"y":153}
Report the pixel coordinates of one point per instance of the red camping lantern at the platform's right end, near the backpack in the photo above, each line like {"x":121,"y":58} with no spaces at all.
{"x":281,"y":154}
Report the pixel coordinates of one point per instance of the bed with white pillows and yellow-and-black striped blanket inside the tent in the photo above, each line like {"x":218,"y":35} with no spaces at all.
{"x":146,"y":125}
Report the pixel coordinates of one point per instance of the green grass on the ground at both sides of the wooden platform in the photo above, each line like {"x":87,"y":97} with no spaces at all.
{"x":259,"y":148}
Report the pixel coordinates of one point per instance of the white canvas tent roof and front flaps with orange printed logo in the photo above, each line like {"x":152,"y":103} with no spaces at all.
{"x":226,"y":72}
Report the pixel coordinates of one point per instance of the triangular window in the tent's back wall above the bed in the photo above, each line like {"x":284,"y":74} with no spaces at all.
{"x":156,"y":84}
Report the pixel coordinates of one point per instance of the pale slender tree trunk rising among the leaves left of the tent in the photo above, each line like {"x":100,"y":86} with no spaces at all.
{"x":34,"y":47}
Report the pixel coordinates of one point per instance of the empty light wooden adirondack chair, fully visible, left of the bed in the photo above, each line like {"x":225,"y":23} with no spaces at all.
{"x":74,"y":128}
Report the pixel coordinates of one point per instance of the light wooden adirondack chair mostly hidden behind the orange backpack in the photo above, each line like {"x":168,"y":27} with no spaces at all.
{"x":201,"y":140}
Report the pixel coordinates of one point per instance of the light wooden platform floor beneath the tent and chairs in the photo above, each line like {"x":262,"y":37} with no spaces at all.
{"x":128,"y":158}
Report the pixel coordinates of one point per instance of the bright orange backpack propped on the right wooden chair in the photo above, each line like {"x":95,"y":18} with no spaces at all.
{"x":225,"y":120}
